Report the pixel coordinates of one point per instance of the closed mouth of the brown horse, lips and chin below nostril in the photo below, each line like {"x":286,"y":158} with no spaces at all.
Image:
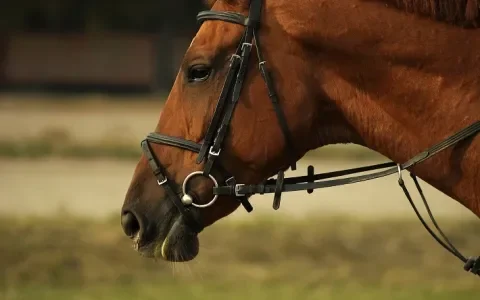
{"x":177,"y":243}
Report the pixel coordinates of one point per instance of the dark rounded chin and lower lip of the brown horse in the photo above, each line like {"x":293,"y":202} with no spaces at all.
{"x":180,"y":245}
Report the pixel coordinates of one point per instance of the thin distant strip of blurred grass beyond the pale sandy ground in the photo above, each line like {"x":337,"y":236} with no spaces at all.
{"x":57,"y":142}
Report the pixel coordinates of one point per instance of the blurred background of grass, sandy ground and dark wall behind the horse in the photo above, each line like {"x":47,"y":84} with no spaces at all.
{"x":81,"y":84}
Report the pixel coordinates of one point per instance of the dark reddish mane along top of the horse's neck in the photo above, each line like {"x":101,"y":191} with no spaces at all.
{"x":456,"y":12}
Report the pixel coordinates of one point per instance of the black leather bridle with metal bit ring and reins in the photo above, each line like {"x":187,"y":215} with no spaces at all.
{"x":211,"y":148}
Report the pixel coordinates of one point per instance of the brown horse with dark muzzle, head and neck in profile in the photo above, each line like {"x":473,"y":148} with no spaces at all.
{"x":344,"y":71}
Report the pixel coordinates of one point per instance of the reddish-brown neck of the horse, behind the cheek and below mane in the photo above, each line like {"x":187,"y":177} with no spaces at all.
{"x":403,"y":84}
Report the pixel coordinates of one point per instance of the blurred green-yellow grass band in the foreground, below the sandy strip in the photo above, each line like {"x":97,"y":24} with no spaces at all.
{"x":67,"y":257}
